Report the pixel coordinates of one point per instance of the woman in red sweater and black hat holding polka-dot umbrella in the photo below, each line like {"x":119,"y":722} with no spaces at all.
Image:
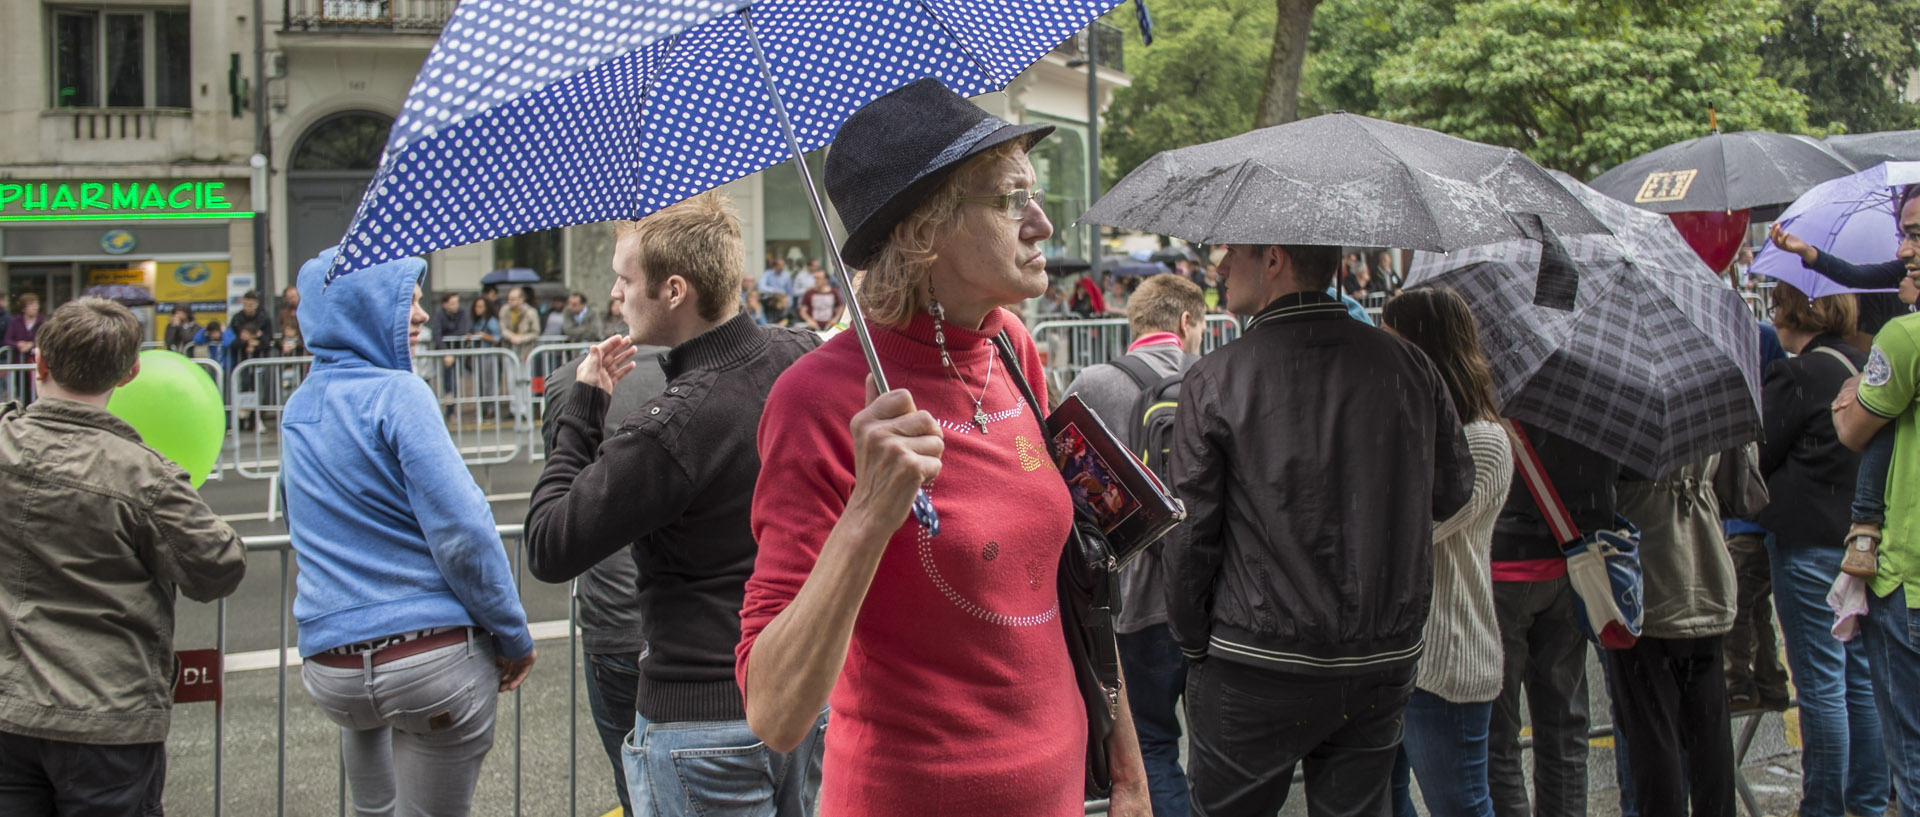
{"x":940,"y":655}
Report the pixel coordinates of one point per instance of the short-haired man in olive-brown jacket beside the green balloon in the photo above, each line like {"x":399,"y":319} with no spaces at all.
{"x":103,"y":534}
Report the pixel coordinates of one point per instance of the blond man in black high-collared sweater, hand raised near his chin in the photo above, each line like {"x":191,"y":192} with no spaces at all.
{"x":677,"y":486}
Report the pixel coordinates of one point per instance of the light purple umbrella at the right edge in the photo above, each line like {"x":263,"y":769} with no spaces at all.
{"x":1850,"y":218}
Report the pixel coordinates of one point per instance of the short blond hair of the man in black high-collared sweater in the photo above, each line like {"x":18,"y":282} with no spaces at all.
{"x":700,"y":241}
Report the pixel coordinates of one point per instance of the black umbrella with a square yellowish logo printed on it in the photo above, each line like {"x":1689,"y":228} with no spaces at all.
{"x":1723,"y":174}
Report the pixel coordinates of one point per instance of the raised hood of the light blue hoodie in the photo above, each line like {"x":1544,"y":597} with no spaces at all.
{"x":364,"y":315}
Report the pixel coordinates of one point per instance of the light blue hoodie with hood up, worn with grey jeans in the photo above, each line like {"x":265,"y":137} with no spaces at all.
{"x":387,"y":523}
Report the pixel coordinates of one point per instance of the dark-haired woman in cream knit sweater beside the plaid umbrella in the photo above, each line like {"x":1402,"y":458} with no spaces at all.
{"x":1460,"y":670}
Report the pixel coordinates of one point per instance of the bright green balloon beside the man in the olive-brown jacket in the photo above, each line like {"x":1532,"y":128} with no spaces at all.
{"x":178,"y":411}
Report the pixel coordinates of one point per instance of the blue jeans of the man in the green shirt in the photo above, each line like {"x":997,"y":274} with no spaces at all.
{"x":1894,"y":657}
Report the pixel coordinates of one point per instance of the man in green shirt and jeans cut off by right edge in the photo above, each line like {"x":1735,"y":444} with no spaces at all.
{"x":1886,"y":392}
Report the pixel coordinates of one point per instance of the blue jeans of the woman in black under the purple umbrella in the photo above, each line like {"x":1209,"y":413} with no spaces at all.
{"x":1844,"y":762}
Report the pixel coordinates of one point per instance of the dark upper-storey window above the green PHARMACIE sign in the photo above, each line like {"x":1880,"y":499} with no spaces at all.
{"x":122,"y":58}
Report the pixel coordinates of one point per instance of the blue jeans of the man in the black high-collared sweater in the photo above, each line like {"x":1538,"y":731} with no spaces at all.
{"x":719,"y":770}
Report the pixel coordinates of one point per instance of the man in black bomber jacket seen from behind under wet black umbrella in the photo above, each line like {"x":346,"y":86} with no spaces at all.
{"x":1314,"y":457}
